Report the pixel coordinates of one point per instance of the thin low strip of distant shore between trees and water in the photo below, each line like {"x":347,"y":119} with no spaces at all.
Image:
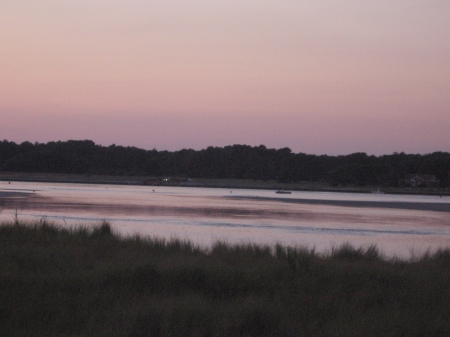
{"x":213,"y":183}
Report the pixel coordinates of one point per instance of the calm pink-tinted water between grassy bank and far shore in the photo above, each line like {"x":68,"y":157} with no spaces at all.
{"x":398,"y":225}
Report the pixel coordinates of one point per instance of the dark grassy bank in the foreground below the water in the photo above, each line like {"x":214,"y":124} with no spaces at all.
{"x":81,"y":282}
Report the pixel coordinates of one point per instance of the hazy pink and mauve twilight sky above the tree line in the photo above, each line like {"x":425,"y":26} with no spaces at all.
{"x":320,"y":77}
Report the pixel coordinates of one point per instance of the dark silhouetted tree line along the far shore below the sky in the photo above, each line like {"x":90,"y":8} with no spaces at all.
{"x":229,"y":162}
